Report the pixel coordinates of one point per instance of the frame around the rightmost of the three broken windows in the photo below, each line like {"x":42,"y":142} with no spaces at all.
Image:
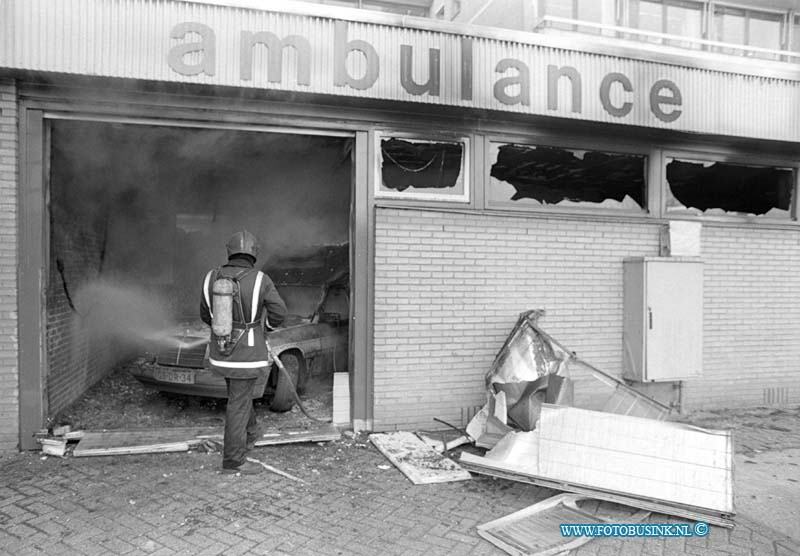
{"x":743,"y":159}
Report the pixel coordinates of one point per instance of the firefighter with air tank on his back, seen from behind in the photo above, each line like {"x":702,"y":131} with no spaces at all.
{"x":239,"y":302}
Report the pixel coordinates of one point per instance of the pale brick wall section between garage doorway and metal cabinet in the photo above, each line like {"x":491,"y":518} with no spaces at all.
{"x":449,"y":288}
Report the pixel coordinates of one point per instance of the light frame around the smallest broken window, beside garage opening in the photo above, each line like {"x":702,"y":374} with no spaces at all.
{"x":462,"y":199}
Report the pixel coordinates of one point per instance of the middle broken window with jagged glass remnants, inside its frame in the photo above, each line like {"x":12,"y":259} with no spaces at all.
{"x":543,"y":176}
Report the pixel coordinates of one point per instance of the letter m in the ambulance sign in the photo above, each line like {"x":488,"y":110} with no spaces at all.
{"x":275,"y":48}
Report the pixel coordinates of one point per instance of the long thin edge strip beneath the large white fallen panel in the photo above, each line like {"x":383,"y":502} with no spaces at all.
{"x":493,"y":468}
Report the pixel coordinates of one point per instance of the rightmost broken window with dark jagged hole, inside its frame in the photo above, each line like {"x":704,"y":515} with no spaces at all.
{"x":717,"y":188}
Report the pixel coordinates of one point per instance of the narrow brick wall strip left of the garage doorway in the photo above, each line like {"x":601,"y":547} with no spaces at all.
{"x":9,"y":367}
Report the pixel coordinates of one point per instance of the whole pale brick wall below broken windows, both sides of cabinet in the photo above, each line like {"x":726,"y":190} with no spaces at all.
{"x":449,"y":287}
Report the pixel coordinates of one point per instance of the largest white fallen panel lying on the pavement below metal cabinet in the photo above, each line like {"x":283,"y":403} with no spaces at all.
{"x":656,"y":465}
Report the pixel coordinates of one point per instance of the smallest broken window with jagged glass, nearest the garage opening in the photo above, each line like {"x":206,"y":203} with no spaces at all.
{"x":419,"y":169}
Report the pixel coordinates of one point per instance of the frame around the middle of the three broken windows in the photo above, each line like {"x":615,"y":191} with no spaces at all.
{"x":570,"y":143}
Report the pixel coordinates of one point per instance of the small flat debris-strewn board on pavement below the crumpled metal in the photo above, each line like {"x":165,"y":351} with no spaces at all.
{"x":420,"y":463}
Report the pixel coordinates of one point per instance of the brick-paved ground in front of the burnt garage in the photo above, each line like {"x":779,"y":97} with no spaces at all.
{"x":351,"y":503}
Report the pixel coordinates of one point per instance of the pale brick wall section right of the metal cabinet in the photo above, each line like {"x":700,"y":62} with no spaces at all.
{"x":751,"y":318}
